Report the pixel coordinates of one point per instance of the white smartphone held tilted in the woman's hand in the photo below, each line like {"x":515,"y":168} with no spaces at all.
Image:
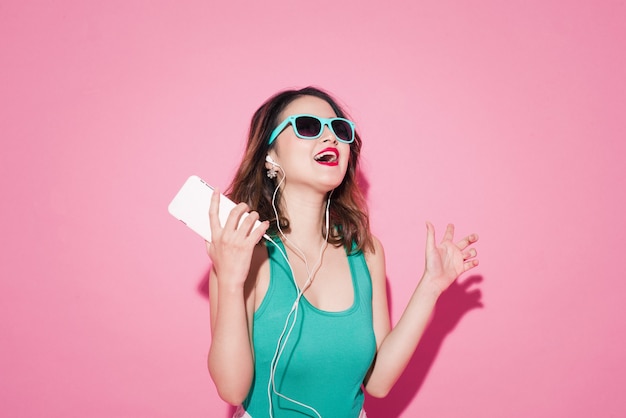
{"x":191,"y":206}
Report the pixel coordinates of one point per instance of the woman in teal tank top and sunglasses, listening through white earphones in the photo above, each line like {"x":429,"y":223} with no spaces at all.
{"x":299,"y":321}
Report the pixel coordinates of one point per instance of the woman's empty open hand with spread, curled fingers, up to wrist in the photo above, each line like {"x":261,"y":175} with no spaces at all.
{"x":448,"y":260}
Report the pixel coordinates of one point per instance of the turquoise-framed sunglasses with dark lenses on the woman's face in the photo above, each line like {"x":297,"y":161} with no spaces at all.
{"x":311,"y":127}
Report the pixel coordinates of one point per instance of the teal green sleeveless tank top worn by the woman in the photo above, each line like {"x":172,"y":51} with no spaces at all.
{"x":326,"y":356}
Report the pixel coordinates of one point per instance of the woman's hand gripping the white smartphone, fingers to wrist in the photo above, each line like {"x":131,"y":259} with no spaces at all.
{"x":232,"y":245}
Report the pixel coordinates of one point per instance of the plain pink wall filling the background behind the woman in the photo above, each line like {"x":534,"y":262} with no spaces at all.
{"x":507,"y":118}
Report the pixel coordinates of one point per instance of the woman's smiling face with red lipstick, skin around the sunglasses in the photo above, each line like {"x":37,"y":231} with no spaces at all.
{"x":320,"y":163}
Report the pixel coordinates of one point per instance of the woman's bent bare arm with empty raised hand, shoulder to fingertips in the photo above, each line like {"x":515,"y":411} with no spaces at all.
{"x":444,"y":263}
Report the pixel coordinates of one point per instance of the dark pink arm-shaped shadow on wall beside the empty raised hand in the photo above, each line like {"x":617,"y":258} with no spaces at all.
{"x":452,"y":305}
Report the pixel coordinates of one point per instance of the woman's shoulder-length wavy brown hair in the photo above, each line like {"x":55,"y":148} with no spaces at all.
{"x":348,"y":214}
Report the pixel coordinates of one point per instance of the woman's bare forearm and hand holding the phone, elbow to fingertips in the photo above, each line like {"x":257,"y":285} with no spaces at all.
{"x":231,"y":284}
